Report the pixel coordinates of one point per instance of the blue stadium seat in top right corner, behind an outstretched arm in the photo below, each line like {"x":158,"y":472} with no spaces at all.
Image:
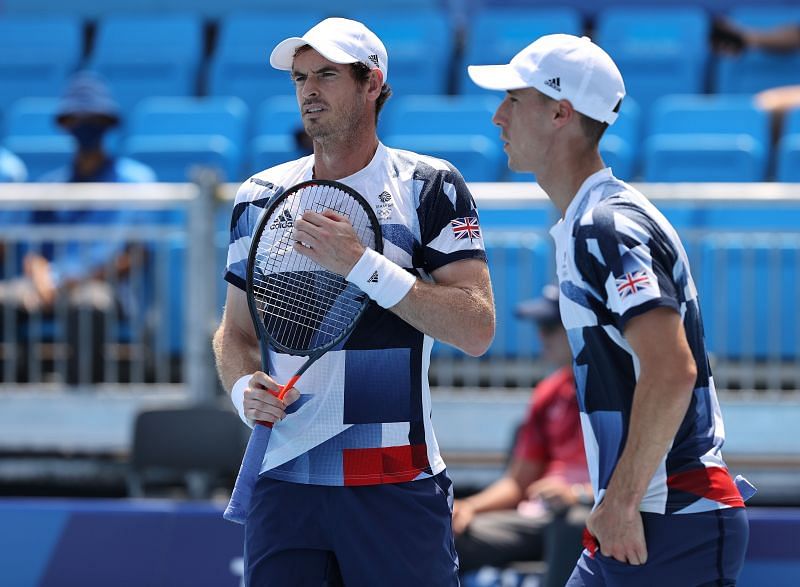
{"x":756,"y":70}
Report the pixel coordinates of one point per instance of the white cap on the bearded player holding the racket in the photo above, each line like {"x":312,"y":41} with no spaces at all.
{"x":340,"y":40}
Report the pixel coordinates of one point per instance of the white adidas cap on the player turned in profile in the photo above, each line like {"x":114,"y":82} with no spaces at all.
{"x":564,"y":67}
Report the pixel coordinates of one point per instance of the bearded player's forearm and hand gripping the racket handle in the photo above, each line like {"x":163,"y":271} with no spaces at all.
{"x":237,"y":355}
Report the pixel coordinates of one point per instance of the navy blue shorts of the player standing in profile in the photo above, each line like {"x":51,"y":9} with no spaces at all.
{"x":704,"y":549}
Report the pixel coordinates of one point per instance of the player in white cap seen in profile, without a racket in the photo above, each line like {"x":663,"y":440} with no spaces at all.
{"x":668,"y":512}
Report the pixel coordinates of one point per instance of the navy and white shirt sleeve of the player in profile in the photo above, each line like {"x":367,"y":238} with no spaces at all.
{"x":628,"y":262}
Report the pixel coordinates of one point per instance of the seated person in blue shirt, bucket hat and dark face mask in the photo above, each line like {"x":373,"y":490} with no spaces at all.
{"x":74,"y":287}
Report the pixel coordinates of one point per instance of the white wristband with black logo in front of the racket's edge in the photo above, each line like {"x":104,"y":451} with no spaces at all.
{"x":384,"y":281}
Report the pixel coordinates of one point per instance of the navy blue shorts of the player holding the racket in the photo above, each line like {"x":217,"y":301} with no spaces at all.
{"x":311,"y":535}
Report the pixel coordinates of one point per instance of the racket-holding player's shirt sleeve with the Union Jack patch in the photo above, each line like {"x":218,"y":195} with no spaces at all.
{"x":449,"y":223}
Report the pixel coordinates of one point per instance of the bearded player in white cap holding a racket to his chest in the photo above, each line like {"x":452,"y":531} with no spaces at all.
{"x":352,"y":488}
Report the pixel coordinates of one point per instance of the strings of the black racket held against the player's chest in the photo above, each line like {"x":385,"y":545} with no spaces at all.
{"x":303,"y":305}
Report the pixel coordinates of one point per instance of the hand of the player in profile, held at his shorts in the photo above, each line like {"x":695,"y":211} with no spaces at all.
{"x":619,"y":532}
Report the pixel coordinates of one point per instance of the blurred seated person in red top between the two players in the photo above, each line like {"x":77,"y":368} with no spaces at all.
{"x":537,"y":510}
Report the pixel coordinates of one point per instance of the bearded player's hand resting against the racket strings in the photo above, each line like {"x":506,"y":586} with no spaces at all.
{"x":328,"y":239}
